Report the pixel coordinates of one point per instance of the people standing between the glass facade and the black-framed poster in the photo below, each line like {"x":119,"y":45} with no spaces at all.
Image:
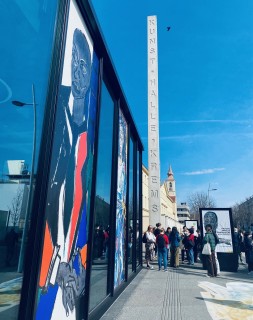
{"x":166,"y":246}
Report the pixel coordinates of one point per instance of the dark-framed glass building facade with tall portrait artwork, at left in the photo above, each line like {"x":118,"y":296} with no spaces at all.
{"x":64,"y":112}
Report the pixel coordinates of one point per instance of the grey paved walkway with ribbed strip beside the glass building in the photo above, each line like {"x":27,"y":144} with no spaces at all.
{"x":175,"y":295}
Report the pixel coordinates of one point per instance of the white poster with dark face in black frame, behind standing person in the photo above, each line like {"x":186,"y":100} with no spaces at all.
{"x":221,"y":221}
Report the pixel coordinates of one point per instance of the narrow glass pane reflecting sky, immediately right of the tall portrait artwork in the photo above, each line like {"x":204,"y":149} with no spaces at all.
{"x":101,"y":233}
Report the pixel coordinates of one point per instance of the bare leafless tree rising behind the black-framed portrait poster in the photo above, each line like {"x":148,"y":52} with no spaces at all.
{"x":199,"y":200}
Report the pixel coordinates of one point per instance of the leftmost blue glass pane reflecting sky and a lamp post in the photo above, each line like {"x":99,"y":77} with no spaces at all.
{"x":30,"y":57}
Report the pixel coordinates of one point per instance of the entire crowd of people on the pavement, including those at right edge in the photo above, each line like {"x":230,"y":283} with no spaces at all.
{"x":166,"y":246}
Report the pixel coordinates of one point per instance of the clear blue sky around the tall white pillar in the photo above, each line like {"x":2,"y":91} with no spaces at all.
{"x":205,"y":88}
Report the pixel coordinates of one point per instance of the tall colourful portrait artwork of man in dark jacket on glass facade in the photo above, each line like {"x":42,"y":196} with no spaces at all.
{"x":62,"y":276}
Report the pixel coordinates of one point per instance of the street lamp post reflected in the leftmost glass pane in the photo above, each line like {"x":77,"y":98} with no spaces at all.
{"x":29,"y":201}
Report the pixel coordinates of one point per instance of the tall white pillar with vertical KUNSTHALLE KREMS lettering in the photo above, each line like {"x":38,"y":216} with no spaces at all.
{"x":153,"y":124}
